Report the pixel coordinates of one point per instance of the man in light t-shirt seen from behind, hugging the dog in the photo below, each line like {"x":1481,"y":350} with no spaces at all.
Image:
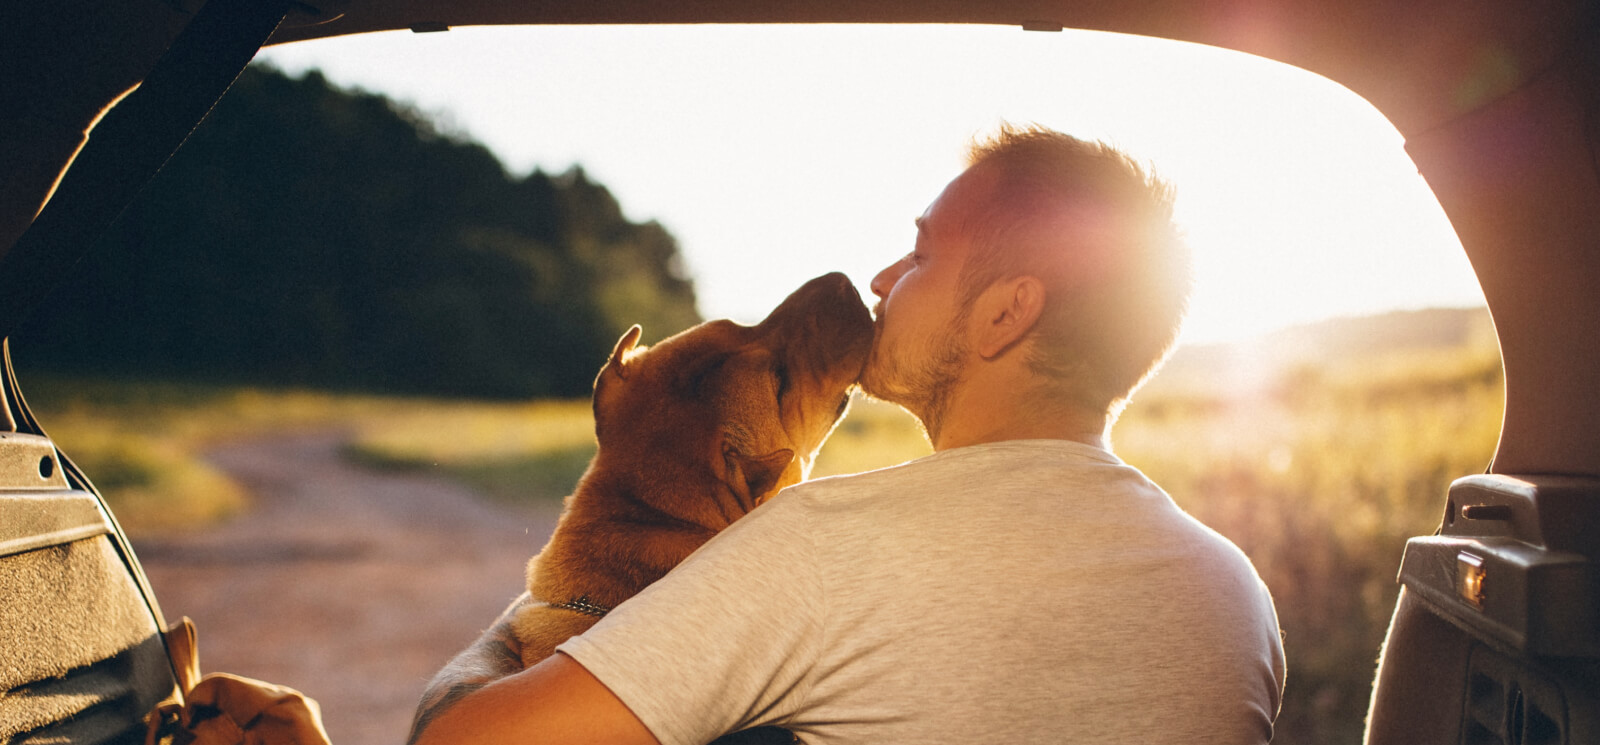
{"x":1018,"y":586}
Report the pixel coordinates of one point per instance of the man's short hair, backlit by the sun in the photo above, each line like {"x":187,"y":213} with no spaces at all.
{"x":1097,"y":228}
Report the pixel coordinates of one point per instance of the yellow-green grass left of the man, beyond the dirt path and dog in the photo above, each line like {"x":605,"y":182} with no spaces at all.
{"x":143,"y":444}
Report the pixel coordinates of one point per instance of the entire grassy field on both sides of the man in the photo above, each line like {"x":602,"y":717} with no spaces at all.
{"x":1318,"y":471}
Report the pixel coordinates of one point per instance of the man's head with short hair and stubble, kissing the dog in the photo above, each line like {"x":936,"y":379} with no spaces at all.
{"x":1078,"y":223}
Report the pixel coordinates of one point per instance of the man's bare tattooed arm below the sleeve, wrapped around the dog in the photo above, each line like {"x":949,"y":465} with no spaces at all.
{"x":484,"y":696}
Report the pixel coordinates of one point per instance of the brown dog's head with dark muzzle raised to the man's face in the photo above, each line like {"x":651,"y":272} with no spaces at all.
{"x":737,"y":408}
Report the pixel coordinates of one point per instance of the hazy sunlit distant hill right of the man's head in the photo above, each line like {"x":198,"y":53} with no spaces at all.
{"x":1337,"y":346}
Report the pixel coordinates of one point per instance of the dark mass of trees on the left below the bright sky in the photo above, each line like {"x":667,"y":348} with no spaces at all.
{"x":311,"y":236}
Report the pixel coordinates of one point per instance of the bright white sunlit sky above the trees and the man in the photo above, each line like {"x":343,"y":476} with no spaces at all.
{"x":778,"y":154}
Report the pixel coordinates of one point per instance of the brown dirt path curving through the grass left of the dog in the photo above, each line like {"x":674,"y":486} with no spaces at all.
{"x":348,"y":584}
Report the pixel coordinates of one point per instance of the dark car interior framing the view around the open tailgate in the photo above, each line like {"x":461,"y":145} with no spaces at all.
{"x":1497,"y":635}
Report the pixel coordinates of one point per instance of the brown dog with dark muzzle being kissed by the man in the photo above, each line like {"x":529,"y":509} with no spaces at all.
{"x":694,"y":434}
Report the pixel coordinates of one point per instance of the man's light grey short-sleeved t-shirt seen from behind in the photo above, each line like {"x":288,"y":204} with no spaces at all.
{"x":1018,"y":592}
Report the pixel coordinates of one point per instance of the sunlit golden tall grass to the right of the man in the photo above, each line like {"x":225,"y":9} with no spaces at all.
{"x":1321,"y":477}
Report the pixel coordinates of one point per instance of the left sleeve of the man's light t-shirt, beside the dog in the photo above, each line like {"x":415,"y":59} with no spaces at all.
{"x":726,"y":640}
